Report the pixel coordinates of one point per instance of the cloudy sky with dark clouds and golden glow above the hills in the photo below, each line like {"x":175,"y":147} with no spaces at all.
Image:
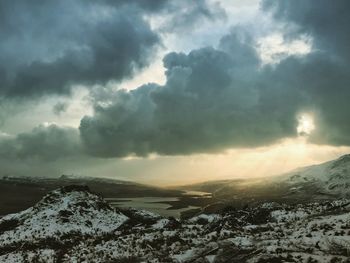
{"x":172,"y":92}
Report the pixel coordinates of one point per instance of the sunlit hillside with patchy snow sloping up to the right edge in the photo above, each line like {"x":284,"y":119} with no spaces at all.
{"x":327,"y":180}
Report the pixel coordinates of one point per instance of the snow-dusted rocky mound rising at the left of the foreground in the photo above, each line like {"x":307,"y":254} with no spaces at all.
{"x":61,"y":213}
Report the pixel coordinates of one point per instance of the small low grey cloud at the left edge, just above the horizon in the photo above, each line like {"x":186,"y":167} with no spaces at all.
{"x":45,"y":143}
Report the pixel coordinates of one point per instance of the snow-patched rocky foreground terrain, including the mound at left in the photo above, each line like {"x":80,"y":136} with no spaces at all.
{"x":72,"y":224}
